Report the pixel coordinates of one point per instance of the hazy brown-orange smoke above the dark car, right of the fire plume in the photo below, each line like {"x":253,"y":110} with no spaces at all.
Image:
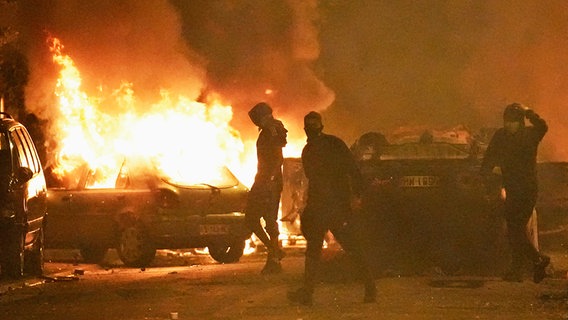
{"x":445,"y":63}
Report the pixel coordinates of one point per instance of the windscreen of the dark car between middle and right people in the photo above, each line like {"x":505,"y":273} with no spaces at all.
{"x":425,"y":151}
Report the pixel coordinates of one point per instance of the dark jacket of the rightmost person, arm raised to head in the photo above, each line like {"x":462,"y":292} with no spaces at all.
{"x":516,"y":154}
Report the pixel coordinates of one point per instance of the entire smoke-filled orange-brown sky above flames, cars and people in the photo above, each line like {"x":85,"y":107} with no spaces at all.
{"x":366,"y":64}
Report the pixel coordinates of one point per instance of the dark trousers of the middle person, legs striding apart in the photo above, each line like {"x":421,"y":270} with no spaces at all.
{"x":314,"y":229}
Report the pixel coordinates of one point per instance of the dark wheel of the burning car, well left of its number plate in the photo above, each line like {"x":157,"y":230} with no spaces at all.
{"x":135,"y":248}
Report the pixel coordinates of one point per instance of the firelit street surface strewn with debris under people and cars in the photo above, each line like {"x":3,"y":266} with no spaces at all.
{"x":190,"y":285}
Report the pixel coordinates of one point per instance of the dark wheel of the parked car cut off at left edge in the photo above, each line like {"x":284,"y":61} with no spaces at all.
{"x":13,"y":264}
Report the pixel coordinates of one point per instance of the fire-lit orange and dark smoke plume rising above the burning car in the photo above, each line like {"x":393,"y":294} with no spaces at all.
{"x":238,"y":52}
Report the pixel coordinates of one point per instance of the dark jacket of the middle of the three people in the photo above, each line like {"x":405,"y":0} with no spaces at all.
{"x":333,"y":175}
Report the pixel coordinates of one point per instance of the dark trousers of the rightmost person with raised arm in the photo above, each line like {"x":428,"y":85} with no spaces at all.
{"x":518,"y":210}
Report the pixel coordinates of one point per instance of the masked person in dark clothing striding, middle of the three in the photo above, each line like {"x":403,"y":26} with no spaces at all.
{"x":334,"y":187}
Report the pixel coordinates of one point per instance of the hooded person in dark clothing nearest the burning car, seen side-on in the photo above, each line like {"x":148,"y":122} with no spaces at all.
{"x":264,"y":196}
